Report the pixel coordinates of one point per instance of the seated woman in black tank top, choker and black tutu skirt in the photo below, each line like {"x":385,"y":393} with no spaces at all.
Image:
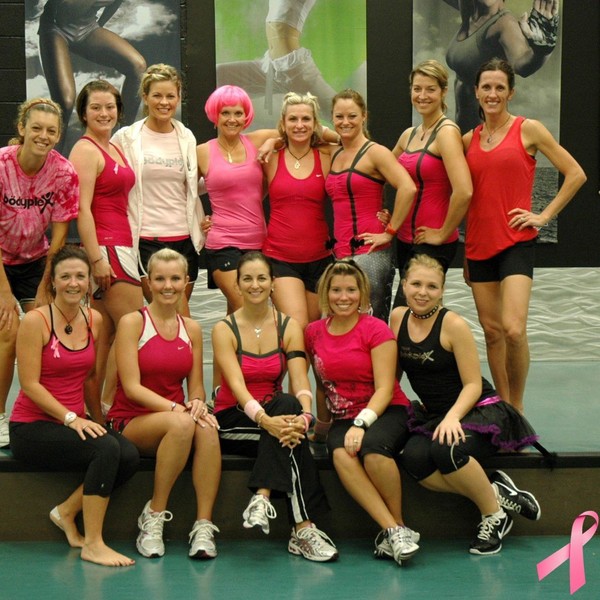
{"x":461,"y":419}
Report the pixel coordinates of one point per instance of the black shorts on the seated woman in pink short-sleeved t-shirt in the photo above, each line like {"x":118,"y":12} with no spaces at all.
{"x":386,"y":436}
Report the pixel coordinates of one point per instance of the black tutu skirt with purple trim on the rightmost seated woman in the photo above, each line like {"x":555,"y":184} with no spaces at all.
{"x":509,"y":429}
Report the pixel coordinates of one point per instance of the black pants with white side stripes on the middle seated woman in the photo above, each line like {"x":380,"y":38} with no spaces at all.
{"x":289,"y":473}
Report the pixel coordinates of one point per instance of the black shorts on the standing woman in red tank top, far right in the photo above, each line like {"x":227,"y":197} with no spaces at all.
{"x":516,"y":260}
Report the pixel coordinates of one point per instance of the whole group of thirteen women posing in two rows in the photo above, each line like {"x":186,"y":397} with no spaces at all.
{"x":141,"y":226}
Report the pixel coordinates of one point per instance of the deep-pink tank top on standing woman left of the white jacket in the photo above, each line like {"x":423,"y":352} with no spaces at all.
{"x":111,"y":196}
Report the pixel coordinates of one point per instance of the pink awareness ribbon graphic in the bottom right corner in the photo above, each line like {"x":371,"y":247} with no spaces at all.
{"x":572,"y":552}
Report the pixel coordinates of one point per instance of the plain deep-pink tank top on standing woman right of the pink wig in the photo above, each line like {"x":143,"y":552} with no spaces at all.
{"x":297,"y":231}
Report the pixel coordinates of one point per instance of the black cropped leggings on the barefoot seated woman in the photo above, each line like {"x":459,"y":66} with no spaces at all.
{"x":108,"y":460}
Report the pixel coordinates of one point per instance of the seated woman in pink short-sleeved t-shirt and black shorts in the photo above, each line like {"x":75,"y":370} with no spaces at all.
{"x":354,"y":356}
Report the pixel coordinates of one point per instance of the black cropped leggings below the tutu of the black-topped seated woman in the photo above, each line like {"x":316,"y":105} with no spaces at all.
{"x":423,"y":456}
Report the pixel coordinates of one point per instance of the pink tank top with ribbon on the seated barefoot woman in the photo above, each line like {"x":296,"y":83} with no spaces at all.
{"x":63,"y":374}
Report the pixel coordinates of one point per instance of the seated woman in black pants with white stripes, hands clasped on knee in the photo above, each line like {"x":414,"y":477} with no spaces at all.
{"x":254,"y":347}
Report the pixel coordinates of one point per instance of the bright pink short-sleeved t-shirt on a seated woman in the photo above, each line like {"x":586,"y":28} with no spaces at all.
{"x":344,"y":366}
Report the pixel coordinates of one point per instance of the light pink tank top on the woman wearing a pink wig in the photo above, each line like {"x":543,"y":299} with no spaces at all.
{"x":235,"y":191}
